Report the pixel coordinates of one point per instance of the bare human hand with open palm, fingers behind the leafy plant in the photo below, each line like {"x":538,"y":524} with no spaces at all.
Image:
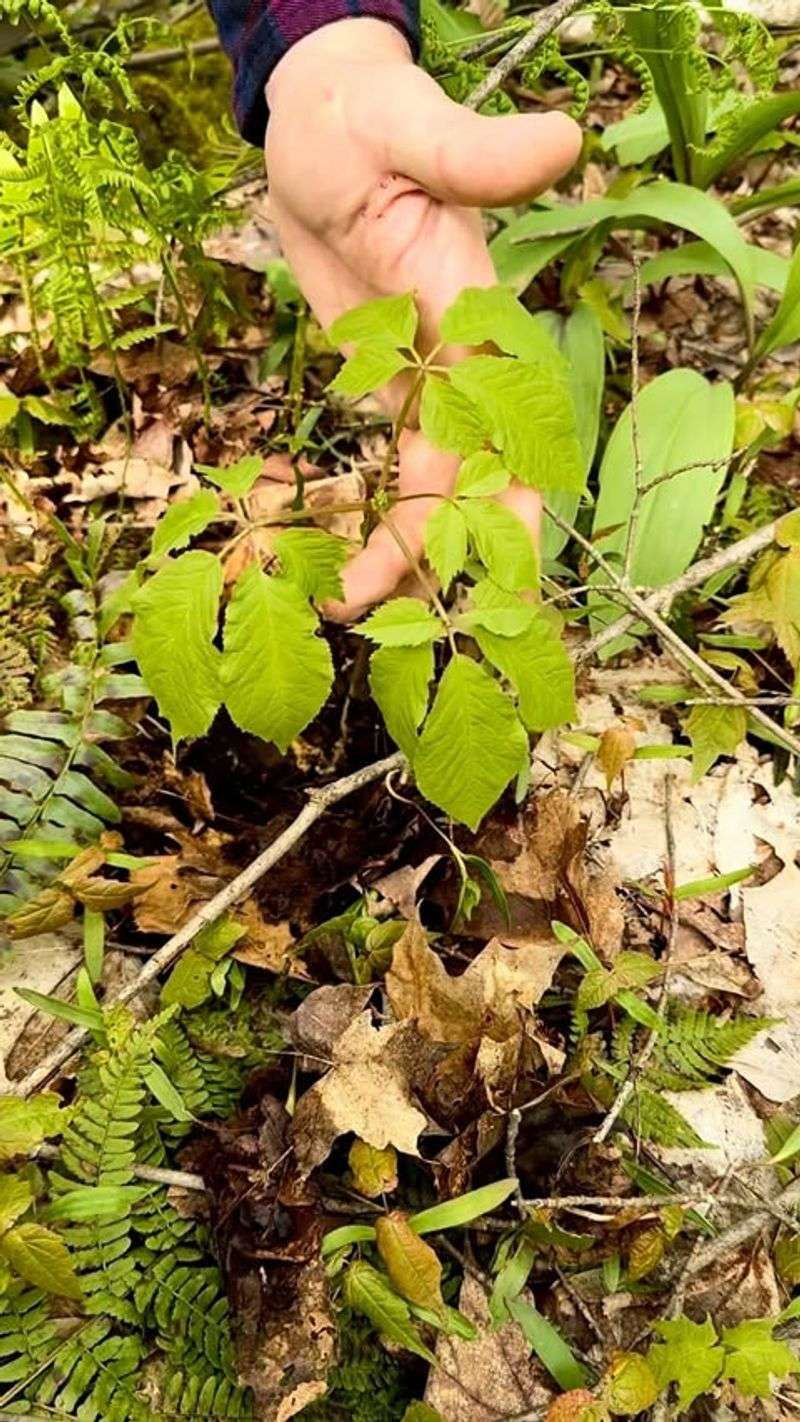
{"x":377,"y":180}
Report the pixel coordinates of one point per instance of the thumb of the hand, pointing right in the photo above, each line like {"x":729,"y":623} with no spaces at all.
{"x":478,"y":161}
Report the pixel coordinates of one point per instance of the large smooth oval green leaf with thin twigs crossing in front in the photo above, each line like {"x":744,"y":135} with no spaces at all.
{"x":683,"y":506}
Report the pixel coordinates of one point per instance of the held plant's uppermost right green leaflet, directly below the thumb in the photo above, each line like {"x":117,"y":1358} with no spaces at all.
{"x":482,"y":315}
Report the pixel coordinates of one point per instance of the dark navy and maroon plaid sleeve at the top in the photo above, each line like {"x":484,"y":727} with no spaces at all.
{"x":258,"y":33}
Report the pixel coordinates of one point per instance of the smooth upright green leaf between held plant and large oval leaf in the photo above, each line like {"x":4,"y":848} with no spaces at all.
{"x":582,"y":342}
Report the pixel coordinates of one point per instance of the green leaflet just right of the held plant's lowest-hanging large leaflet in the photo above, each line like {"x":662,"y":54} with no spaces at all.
{"x":538,"y":666}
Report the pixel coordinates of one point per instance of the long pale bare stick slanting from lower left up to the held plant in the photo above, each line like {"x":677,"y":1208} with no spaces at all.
{"x":238,"y":889}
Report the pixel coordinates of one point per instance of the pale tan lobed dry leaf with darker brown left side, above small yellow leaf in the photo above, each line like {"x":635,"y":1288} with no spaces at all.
{"x":366,"y":1093}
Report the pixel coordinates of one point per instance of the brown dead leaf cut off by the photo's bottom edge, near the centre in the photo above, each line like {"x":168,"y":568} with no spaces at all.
{"x":494,"y":1377}
